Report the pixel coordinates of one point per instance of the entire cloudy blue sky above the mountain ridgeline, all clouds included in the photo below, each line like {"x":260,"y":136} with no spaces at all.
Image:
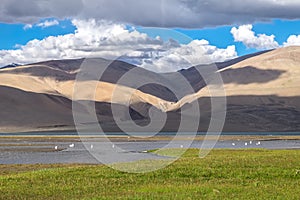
{"x":159,"y":35}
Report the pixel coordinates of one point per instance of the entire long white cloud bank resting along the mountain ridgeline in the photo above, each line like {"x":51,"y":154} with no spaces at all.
{"x":109,"y":40}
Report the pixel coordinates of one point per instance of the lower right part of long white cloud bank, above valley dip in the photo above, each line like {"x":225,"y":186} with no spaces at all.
{"x":185,"y":56}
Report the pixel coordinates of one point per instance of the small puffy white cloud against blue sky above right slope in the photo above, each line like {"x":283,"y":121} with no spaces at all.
{"x":247,"y":36}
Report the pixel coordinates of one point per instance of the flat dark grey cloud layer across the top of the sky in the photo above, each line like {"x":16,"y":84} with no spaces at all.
{"x":166,"y":13}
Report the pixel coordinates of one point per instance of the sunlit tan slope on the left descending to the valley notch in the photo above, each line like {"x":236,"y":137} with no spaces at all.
{"x":42,"y":78}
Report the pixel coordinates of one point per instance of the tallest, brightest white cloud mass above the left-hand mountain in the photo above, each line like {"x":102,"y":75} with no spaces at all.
{"x":103,"y":38}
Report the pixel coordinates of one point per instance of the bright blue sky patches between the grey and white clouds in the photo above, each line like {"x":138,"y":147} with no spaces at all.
{"x":15,"y":34}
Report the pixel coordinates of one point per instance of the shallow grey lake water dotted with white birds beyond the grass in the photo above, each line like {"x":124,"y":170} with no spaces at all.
{"x":28,"y":150}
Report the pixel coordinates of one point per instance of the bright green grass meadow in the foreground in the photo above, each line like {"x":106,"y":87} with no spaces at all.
{"x":223,"y":174}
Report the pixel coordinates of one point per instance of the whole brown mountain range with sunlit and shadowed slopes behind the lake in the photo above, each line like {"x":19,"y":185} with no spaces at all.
{"x":262,"y":94}
